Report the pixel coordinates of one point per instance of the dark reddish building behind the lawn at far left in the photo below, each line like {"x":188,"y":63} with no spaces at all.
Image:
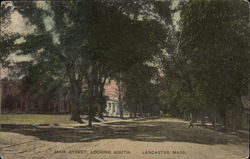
{"x":14,"y":99}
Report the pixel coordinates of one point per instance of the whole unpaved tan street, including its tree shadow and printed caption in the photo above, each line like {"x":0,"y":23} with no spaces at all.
{"x":120,"y":139}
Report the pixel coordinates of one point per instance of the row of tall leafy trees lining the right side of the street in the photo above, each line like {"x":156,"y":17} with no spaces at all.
{"x":209,"y":72}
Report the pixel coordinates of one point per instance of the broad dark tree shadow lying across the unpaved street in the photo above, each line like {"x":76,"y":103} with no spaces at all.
{"x":147,"y":131}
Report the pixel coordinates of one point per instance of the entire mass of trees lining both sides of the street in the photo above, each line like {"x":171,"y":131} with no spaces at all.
{"x":199,"y":67}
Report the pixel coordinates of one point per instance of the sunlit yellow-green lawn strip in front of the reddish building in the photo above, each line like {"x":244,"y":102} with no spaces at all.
{"x":35,"y":119}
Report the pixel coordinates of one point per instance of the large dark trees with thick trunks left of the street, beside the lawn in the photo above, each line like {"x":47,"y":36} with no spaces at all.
{"x":90,"y":42}
